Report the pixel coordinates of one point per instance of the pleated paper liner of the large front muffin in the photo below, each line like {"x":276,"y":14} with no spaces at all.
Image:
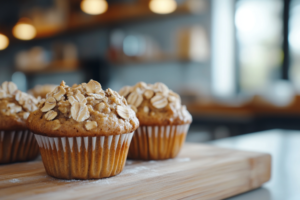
{"x":84,"y":157}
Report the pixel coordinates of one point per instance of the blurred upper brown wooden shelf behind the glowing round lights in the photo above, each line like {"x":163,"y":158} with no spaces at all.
{"x":116,"y":14}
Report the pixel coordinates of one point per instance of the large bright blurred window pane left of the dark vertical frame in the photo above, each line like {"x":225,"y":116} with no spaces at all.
{"x":259,"y":40}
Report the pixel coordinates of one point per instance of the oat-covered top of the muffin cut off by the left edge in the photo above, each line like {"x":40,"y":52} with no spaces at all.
{"x":15,"y":107}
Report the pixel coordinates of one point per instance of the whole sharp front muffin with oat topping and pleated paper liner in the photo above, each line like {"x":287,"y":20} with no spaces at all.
{"x":83,"y":131}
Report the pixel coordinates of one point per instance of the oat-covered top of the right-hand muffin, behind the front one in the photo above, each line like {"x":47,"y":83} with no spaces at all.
{"x":156,"y":104}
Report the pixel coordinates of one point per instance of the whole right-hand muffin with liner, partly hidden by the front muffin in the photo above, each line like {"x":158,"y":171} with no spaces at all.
{"x":164,"y":122}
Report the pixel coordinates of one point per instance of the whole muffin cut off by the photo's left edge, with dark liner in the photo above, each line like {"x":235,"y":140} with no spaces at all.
{"x":17,"y":143}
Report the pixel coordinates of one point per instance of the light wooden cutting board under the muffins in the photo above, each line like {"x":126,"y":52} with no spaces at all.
{"x":199,"y":172}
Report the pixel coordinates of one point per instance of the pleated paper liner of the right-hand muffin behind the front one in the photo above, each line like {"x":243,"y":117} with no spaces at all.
{"x":157,"y":142}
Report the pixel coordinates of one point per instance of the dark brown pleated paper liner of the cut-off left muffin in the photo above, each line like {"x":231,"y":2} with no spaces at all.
{"x":17,"y":146}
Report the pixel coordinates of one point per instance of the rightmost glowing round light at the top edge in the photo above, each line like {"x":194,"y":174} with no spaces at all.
{"x":162,"y":6}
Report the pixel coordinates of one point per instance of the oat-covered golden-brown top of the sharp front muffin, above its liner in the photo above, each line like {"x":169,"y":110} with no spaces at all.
{"x":83,"y":110}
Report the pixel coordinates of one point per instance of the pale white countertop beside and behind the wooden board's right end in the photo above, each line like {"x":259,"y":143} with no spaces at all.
{"x":284,"y":146}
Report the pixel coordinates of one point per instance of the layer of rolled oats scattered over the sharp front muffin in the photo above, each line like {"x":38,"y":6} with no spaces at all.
{"x":88,"y":104}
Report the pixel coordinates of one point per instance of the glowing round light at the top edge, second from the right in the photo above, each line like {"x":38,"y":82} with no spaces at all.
{"x":94,"y":7}
